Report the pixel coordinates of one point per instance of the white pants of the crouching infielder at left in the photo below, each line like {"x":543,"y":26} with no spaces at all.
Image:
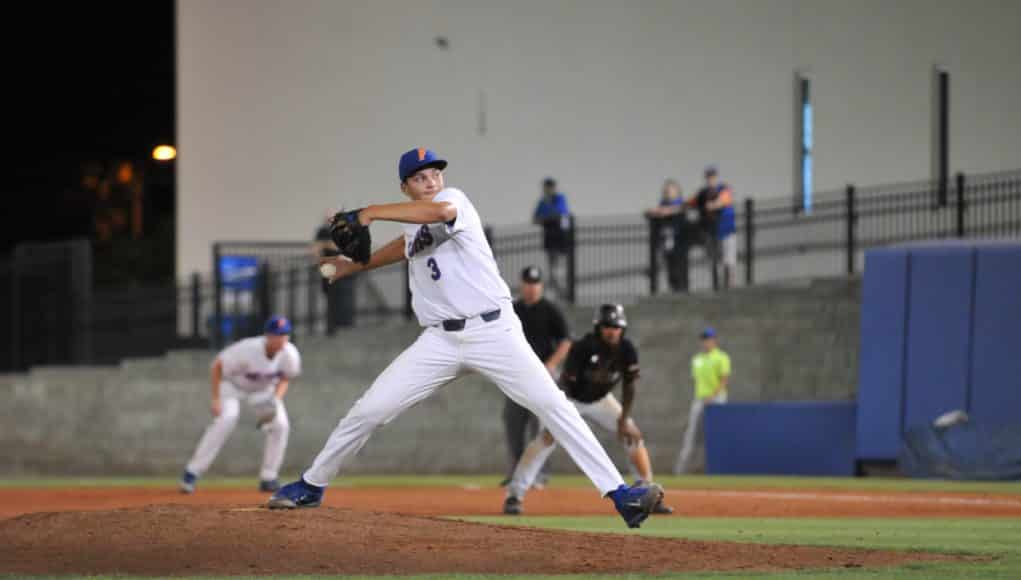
{"x":264,"y":405}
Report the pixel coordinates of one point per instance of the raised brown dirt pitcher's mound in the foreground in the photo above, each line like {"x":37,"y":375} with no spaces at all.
{"x":184,"y":540}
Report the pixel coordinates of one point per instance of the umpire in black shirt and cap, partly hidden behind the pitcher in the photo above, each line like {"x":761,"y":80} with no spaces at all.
{"x":547,"y":331}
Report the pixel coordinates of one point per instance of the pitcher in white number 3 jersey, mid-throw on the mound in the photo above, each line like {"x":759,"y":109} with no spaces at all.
{"x":464,"y":307}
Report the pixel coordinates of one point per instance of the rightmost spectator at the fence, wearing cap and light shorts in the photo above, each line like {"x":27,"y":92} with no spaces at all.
{"x":716,"y":217}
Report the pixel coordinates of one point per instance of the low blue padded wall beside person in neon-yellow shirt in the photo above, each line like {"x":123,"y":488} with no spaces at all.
{"x":781,"y":439}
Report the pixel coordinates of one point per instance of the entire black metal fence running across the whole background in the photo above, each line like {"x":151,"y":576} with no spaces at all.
{"x":617,"y":259}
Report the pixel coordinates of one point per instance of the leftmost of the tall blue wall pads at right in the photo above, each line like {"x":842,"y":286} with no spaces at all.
{"x":881,"y":383}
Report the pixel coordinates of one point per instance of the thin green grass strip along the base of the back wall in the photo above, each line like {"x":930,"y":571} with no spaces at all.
{"x":671,"y":482}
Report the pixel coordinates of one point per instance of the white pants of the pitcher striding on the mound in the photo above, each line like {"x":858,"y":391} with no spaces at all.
{"x":499,"y":352}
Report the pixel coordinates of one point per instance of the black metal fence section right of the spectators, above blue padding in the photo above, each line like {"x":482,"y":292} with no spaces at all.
{"x":781,"y":243}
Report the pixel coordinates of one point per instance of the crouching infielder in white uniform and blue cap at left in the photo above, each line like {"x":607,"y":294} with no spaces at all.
{"x":259,"y":372}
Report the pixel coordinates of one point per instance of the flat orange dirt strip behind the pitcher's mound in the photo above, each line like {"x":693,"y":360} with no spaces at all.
{"x":554,"y":502}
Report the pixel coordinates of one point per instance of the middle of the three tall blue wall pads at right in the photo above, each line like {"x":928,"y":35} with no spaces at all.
{"x":939,"y":332}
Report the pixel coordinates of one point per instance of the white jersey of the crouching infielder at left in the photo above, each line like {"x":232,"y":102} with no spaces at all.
{"x":249,"y":369}
